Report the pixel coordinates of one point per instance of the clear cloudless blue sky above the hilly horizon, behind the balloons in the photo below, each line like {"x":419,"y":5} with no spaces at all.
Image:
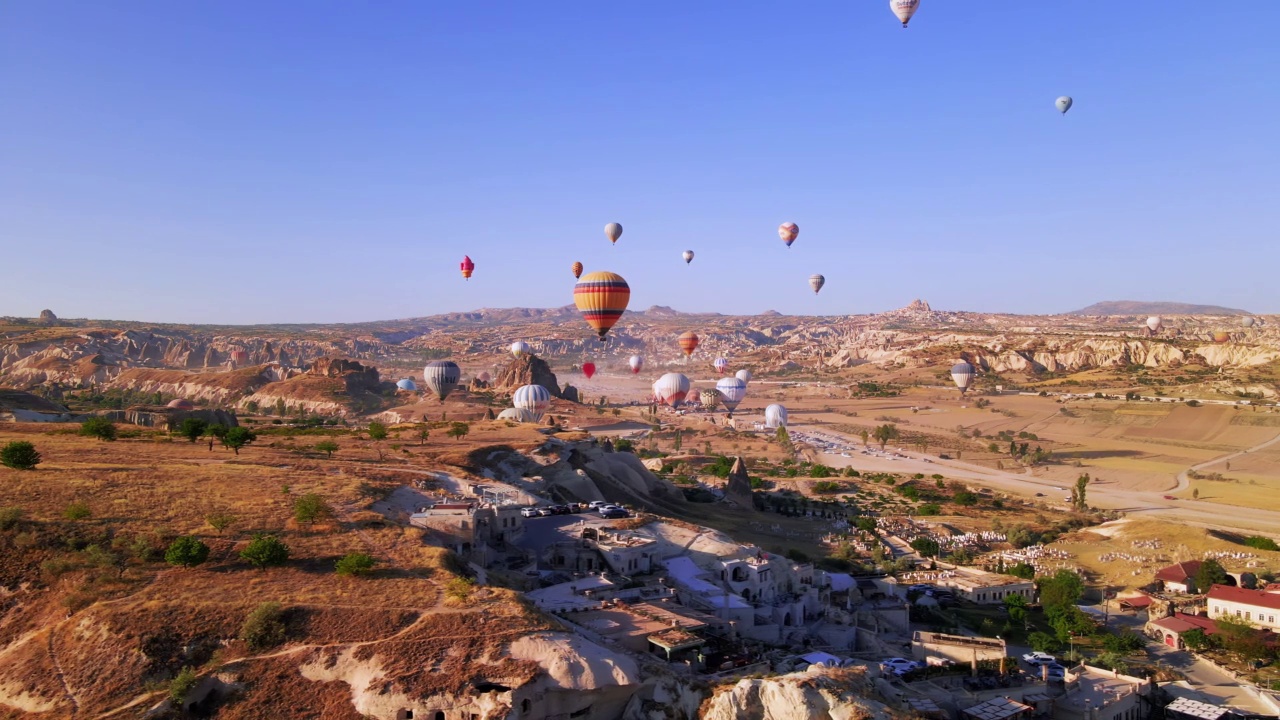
{"x":245,"y":162}
